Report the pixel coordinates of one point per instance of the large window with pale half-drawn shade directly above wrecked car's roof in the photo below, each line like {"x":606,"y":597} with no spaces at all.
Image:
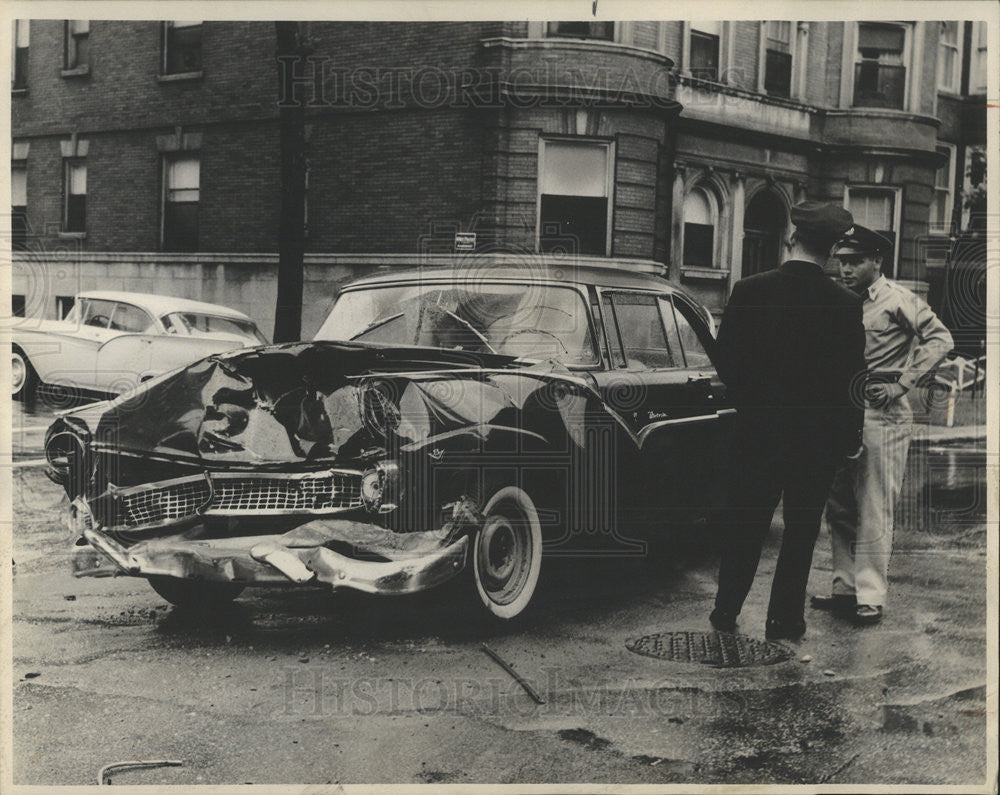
{"x":574,"y":197}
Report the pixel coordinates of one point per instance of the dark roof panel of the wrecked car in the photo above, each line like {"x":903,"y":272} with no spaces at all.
{"x":569,"y":273}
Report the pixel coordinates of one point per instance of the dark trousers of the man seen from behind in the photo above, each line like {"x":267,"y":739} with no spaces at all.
{"x":760,"y":480}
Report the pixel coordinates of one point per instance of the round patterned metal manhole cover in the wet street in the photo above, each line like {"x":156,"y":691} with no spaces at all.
{"x":718,"y":649}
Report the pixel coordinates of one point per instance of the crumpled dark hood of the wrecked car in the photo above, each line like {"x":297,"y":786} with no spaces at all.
{"x":322,"y":402}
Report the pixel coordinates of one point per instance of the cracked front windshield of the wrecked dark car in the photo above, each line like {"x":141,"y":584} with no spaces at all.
{"x":533,"y":321}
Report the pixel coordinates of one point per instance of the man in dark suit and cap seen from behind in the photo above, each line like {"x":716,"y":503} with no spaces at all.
{"x":790,"y":347}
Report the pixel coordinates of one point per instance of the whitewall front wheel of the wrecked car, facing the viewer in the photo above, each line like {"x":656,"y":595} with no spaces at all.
{"x":507,"y":553}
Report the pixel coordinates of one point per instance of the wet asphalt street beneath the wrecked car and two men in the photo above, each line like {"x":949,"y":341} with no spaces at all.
{"x":310,"y":687}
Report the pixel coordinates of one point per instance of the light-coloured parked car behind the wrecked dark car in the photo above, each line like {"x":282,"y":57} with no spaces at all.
{"x":112,"y":341}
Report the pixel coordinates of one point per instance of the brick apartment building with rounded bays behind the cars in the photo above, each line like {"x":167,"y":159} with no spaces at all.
{"x":145,"y":154}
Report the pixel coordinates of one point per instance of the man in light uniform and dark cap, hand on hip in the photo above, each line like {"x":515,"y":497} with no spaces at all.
{"x":903,"y":341}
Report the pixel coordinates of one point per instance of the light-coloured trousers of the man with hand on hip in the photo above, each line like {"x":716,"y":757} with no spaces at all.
{"x":860,"y":507}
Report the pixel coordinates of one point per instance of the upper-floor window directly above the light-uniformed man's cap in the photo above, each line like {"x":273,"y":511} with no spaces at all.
{"x":879,"y":70}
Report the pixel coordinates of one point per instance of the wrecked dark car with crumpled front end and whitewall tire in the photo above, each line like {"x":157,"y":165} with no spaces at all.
{"x":442,"y":424}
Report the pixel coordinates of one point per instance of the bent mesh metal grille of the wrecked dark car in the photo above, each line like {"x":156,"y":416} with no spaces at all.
{"x":231,"y":494}
